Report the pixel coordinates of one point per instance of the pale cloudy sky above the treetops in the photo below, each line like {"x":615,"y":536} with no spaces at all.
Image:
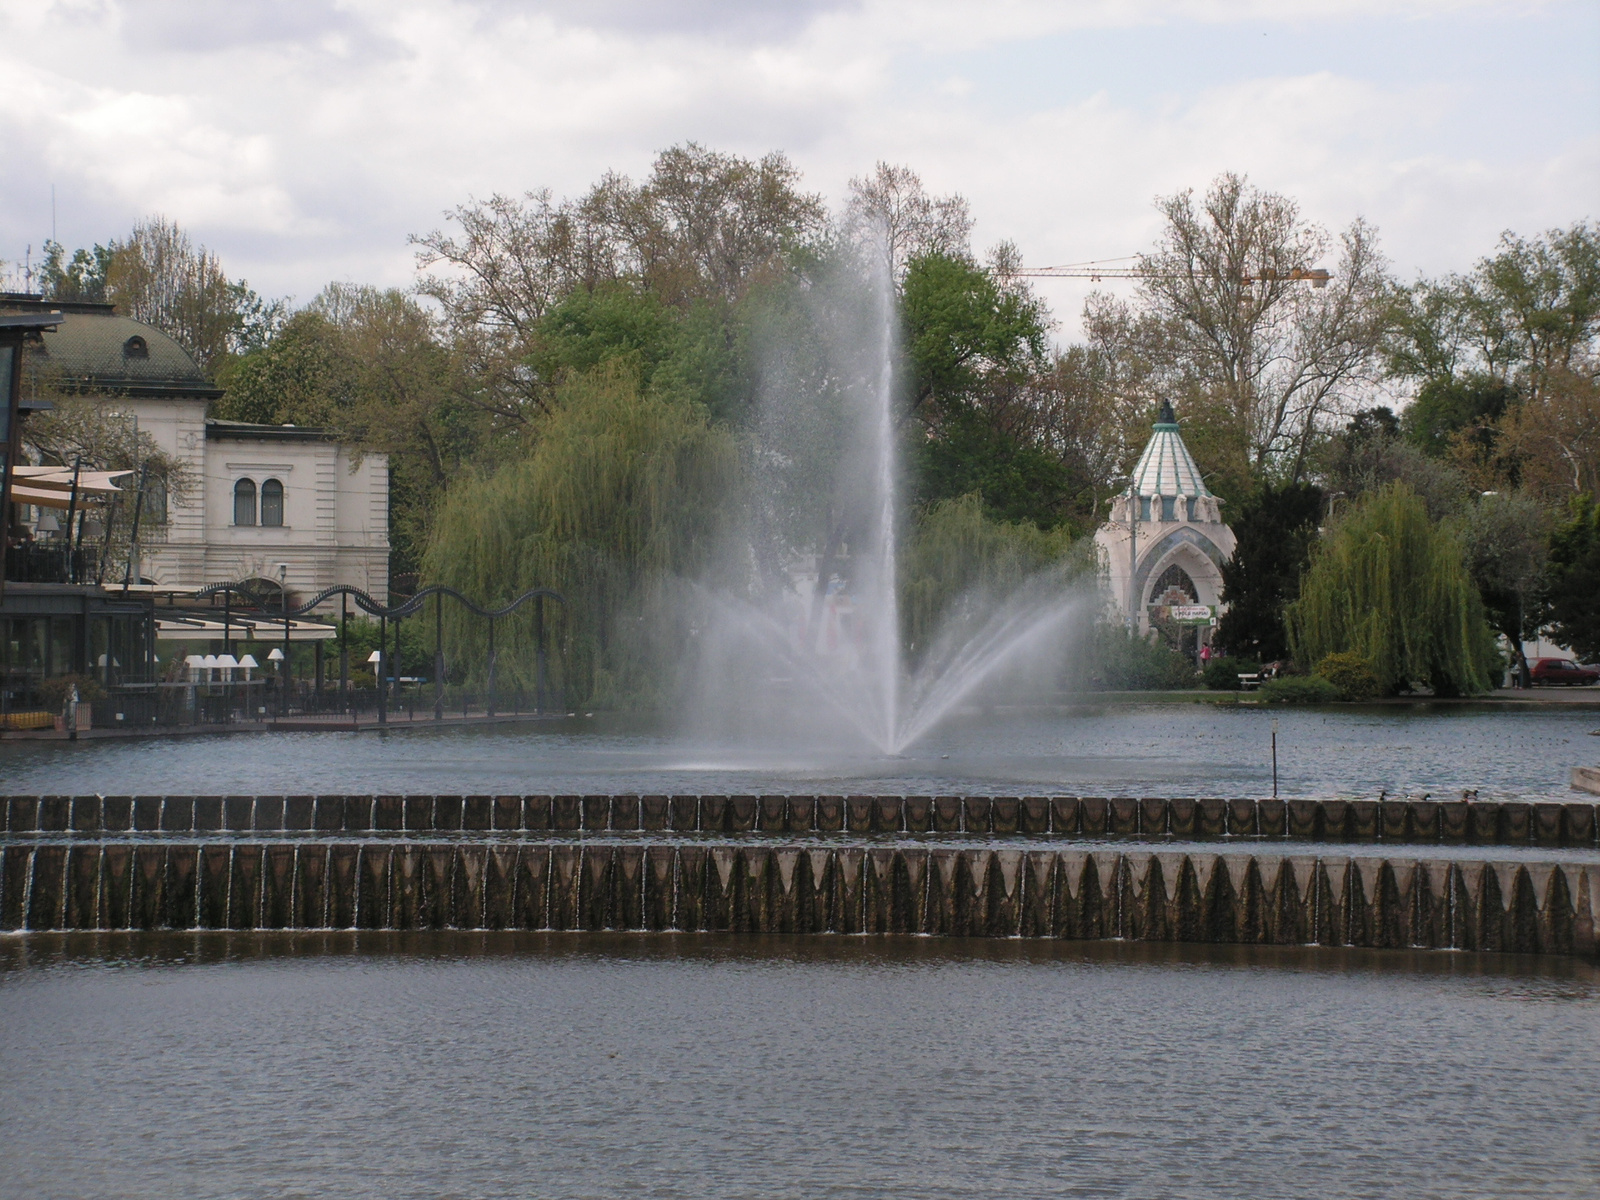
{"x":305,"y":140}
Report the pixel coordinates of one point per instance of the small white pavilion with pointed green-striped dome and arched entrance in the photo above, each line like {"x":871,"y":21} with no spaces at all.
{"x":1164,"y":548}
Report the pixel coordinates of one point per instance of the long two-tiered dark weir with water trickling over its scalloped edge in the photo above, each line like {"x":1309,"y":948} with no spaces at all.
{"x":1377,"y":874}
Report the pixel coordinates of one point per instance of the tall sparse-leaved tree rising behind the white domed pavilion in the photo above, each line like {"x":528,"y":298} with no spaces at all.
{"x":1276,"y":356}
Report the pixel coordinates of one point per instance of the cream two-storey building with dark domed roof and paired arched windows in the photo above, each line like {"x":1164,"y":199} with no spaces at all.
{"x":265,"y":495}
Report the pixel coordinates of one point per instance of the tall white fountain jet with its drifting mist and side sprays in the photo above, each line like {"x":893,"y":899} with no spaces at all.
{"x":810,"y":655}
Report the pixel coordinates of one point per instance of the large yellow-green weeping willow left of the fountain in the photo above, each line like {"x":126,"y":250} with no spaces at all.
{"x":622,"y":495}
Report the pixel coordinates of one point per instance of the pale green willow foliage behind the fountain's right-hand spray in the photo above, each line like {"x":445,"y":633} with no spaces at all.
{"x":959,"y":553}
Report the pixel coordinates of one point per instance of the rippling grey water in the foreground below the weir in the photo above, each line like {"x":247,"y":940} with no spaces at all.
{"x":698,"y":1066}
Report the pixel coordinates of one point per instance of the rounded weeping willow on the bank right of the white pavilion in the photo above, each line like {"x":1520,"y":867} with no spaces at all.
{"x":1391,"y":585}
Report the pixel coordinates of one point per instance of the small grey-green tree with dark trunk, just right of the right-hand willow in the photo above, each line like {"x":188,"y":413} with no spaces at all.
{"x":1505,"y":540}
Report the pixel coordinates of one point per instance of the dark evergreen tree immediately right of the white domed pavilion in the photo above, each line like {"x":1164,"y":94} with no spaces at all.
{"x":1276,"y":532}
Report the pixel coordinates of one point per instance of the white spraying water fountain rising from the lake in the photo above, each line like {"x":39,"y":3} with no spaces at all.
{"x":820,"y":660}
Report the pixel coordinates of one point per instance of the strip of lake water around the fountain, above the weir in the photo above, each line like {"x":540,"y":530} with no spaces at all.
{"x":1134,"y":750}
